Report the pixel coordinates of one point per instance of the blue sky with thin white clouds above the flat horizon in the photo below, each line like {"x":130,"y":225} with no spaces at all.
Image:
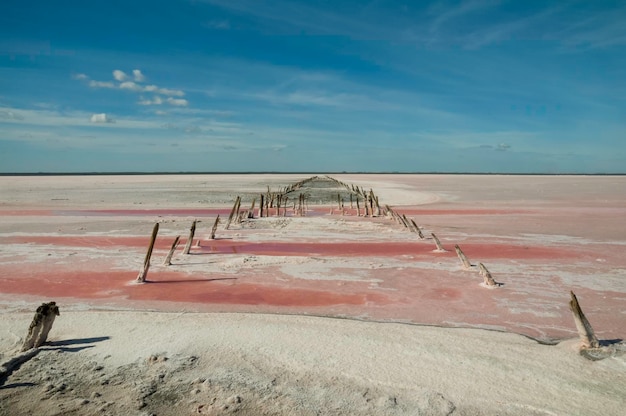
{"x":315,"y":86}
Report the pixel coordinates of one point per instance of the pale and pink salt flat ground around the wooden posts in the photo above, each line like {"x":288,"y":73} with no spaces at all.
{"x":331,"y":313}
